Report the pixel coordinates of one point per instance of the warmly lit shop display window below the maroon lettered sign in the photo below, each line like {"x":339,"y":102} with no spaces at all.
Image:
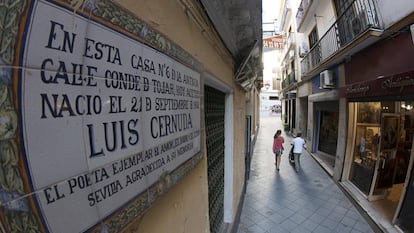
{"x":381,"y":149}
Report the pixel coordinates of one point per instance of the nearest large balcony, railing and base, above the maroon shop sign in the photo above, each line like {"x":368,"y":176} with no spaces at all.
{"x":356,"y":28}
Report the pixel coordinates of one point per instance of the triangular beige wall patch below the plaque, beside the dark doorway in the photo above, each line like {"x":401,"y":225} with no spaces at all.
{"x":182,"y":209}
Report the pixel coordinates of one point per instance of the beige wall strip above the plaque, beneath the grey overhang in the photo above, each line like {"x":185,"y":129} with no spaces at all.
{"x":169,"y":18}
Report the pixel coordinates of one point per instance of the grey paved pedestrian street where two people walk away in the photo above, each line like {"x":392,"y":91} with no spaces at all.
{"x":285,"y":201}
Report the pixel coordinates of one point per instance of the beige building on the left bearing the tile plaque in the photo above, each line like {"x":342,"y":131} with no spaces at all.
{"x":133,"y":116}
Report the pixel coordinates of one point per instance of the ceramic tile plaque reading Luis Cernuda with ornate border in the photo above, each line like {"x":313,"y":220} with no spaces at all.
{"x":107,"y":117}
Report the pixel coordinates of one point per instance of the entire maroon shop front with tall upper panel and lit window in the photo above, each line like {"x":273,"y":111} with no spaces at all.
{"x":378,"y":97}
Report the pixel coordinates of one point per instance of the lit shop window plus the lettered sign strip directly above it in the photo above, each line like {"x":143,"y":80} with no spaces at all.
{"x":379,"y":154}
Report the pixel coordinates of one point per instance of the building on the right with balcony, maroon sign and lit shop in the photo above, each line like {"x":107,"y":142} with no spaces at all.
{"x":355,"y":95}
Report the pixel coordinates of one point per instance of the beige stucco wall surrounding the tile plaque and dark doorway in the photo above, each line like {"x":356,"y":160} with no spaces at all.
{"x":184,"y":208}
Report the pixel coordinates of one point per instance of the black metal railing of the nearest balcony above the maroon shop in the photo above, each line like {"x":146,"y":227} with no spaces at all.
{"x":359,"y":16}
